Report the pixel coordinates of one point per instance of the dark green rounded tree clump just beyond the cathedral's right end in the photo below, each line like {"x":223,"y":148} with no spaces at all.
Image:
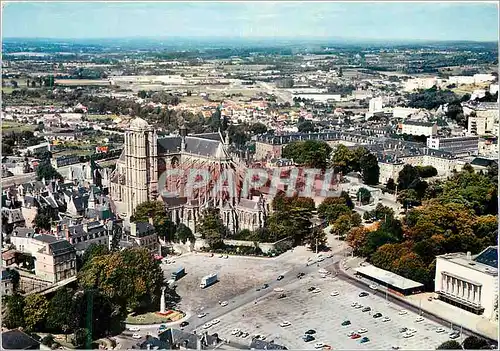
{"x":309,"y":153}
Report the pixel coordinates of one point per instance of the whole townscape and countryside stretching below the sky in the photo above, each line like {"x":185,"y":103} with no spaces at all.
{"x":356,"y":201}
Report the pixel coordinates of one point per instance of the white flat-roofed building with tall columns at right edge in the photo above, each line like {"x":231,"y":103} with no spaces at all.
{"x":469,"y":282}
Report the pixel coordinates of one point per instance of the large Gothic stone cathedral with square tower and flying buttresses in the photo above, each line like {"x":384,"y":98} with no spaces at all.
{"x":146,"y":156}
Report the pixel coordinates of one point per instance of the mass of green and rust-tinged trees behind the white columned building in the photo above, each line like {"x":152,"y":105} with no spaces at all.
{"x":457,"y":215}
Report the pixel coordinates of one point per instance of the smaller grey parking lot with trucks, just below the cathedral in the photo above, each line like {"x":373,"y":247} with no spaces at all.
{"x":236,"y":275}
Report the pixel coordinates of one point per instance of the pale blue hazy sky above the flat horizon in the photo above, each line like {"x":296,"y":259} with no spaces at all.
{"x":473,"y":21}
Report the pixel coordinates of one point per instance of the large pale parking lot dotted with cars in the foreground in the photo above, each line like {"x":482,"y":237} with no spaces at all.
{"x":325,"y":314}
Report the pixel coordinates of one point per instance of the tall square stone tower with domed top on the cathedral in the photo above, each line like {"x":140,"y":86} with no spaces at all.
{"x":141,"y":164}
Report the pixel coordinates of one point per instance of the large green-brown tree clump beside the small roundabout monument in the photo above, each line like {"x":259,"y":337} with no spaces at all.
{"x":131,"y":278}
